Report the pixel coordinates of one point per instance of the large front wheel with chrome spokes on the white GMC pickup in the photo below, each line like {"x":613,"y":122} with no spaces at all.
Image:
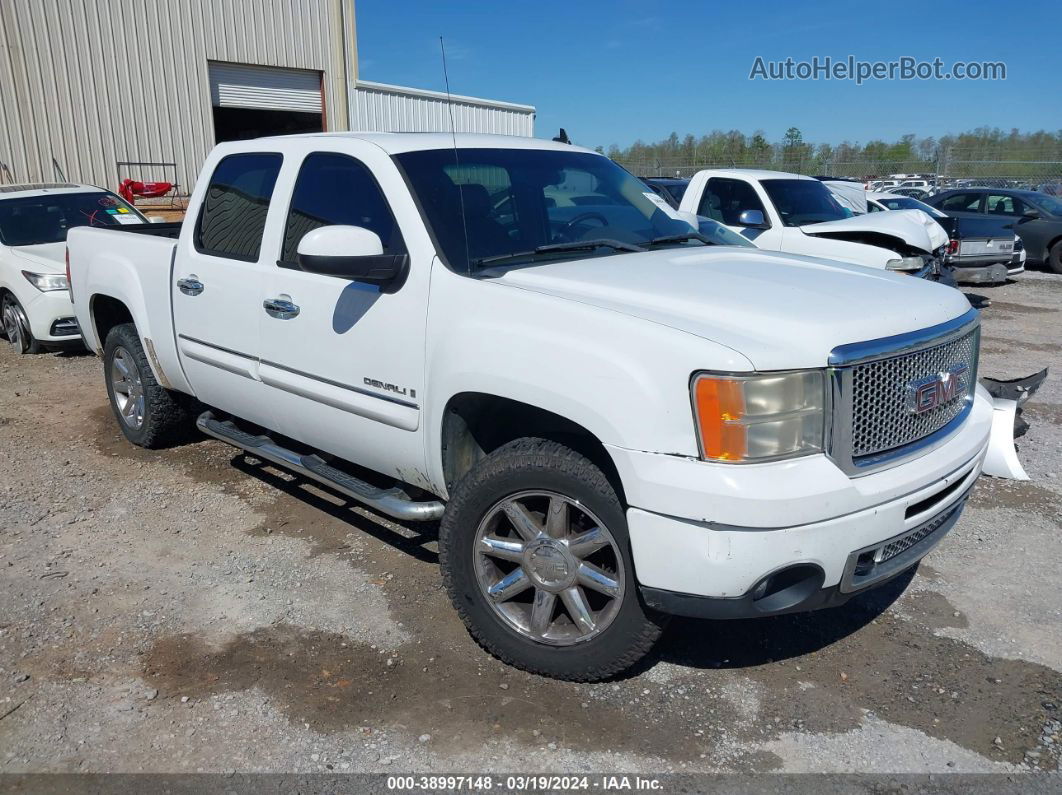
{"x":536,"y":557}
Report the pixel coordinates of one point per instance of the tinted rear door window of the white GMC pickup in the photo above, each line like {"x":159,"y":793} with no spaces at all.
{"x":233,"y":217}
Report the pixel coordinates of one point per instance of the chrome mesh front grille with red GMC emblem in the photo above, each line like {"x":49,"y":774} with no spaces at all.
{"x":878,"y":416}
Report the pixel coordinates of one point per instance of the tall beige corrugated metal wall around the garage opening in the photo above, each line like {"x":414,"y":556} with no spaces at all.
{"x":93,"y":82}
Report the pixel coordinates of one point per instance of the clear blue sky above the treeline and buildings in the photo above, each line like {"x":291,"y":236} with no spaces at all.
{"x":612,"y":73}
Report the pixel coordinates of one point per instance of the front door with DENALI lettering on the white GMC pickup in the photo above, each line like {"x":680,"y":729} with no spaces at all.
{"x":346,"y":373}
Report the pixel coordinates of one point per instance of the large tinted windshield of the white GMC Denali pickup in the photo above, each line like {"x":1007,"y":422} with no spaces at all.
{"x":503,"y":204}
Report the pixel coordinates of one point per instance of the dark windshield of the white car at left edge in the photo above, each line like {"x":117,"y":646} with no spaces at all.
{"x":46,"y":219}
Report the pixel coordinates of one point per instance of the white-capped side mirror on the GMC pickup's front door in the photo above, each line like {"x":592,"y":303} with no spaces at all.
{"x":352,"y":253}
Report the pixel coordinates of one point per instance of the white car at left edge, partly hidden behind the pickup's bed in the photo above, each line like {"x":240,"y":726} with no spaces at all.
{"x":36,"y":308}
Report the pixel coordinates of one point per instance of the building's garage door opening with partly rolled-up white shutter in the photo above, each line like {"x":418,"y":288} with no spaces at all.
{"x":254,"y":101}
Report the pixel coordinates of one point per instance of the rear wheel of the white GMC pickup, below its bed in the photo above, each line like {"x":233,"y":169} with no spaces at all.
{"x":149,"y":416}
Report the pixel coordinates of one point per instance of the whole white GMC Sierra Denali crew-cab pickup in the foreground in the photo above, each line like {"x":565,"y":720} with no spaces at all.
{"x":613,"y":419}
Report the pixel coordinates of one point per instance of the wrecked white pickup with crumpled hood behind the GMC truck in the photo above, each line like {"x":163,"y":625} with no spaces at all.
{"x":799,"y":215}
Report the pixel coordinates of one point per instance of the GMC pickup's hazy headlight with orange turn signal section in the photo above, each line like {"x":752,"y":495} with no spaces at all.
{"x":761,"y":418}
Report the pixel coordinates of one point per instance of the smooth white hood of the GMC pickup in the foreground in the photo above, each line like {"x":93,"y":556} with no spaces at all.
{"x":781,"y":312}
